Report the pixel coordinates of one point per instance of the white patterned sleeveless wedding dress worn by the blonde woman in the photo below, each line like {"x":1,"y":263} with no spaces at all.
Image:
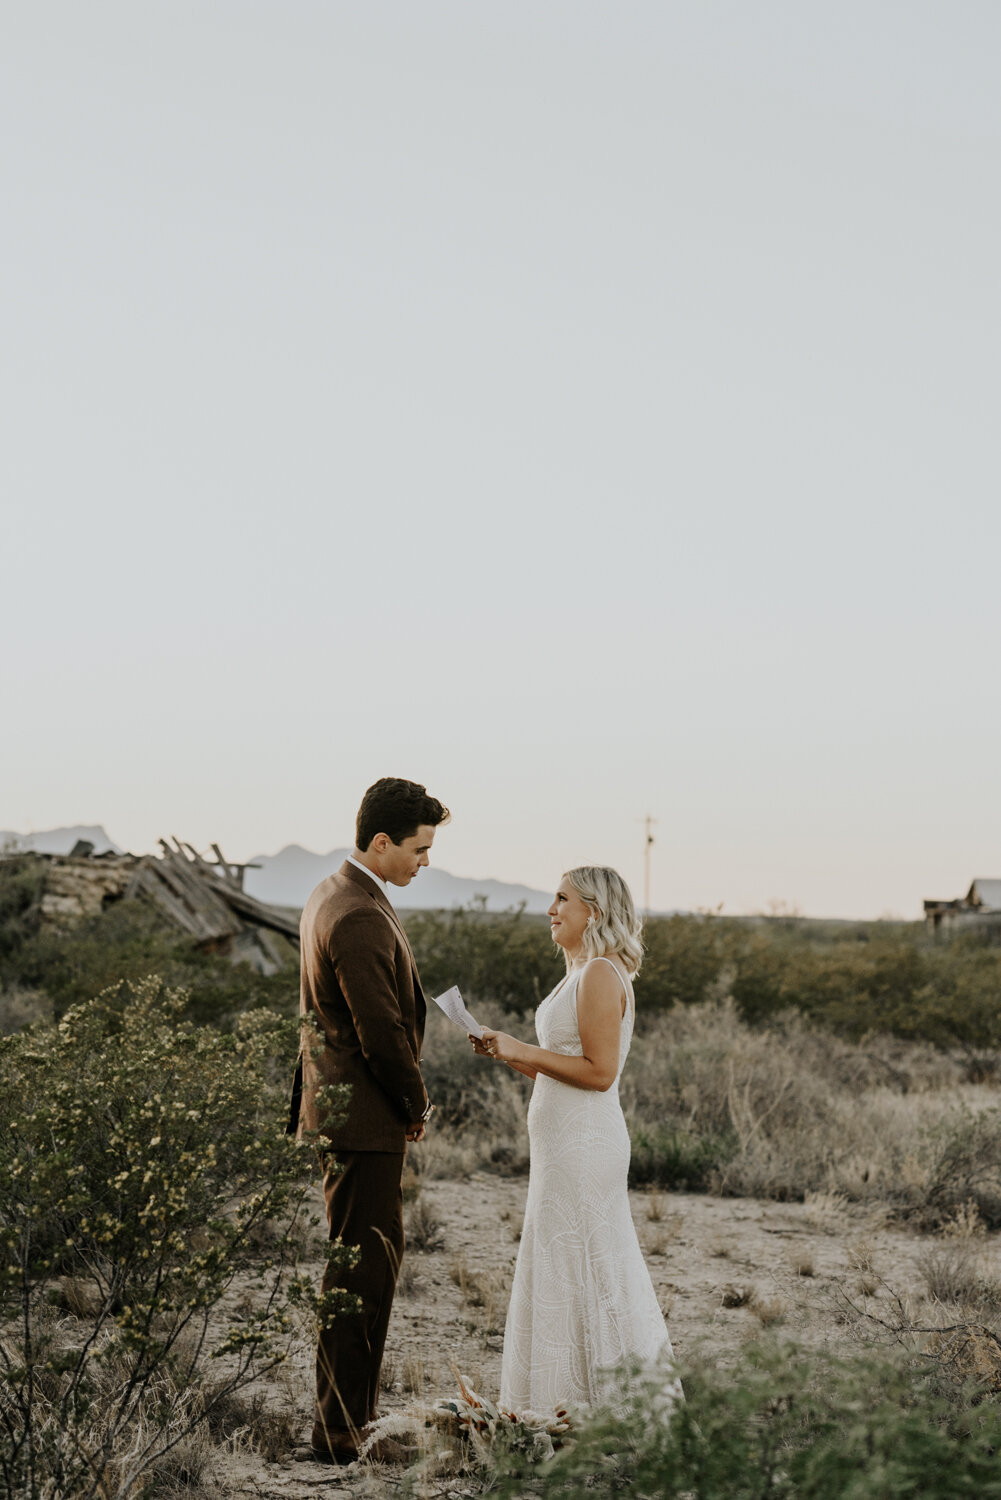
{"x":583,"y":1301}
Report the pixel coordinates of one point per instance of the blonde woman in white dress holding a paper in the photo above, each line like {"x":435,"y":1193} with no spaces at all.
{"x":583,"y":1301}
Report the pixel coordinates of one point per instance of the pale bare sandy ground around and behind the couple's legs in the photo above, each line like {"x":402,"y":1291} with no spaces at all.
{"x":819,"y":1273}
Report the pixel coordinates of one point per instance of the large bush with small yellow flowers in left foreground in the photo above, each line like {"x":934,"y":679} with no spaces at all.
{"x":143,"y":1172}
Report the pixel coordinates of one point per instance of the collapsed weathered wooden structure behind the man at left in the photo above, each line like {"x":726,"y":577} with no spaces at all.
{"x":200,"y":898}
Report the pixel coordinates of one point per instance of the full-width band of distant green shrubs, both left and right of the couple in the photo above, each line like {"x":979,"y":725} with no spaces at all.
{"x":855,"y":980}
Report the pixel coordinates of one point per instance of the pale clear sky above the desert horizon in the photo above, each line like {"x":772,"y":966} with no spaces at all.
{"x":586,"y":410}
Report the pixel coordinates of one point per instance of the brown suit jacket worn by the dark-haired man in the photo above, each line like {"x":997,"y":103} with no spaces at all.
{"x":359,"y":985}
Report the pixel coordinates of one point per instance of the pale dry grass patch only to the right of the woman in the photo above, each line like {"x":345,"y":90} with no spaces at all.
{"x":795,"y":1114}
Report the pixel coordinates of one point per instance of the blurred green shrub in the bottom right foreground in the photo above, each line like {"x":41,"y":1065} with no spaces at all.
{"x":784,"y":1426}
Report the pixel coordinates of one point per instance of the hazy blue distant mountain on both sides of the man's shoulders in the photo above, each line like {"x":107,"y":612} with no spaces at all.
{"x":289,"y":877}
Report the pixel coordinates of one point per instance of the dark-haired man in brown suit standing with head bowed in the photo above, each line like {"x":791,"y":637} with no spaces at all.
{"x":364,"y":1022}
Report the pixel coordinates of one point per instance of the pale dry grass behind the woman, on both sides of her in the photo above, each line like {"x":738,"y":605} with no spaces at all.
{"x":783,"y":1112}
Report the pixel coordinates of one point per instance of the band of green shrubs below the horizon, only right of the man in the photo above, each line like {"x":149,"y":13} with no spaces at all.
{"x":855,"y":980}
